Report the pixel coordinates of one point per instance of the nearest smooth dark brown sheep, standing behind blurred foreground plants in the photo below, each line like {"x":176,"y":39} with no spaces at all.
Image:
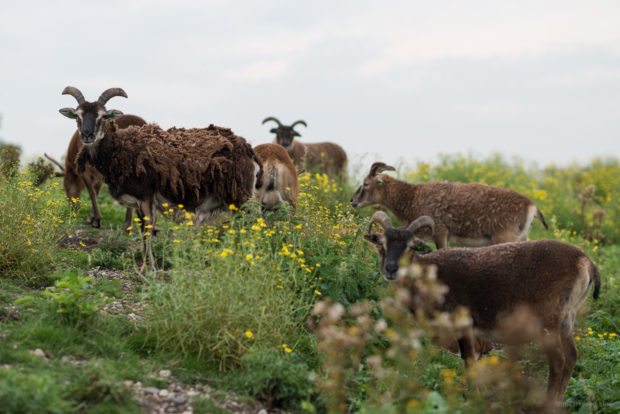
{"x":546,"y":278}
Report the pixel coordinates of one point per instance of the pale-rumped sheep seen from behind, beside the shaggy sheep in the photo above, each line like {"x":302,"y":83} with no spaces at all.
{"x":280,"y":181}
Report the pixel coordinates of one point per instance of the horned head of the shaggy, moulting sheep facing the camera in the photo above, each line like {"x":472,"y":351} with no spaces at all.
{"x":91,"y":116}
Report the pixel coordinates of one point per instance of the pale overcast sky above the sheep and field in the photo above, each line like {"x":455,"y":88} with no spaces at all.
{"x":411,"y":79}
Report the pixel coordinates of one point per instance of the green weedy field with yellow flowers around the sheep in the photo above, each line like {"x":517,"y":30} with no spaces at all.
{"x":227,"y":323}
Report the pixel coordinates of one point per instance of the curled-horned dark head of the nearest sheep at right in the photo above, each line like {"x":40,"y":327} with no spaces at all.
{"x":395,"y":244}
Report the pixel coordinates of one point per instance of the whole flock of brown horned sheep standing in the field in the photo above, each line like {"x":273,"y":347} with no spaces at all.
{"x":497,"y":274}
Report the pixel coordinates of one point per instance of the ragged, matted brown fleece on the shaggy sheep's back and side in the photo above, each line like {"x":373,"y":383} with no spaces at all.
{"x":183,"y":158}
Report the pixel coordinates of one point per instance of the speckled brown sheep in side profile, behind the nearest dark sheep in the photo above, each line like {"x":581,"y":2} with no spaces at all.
{"x":468,"y":214}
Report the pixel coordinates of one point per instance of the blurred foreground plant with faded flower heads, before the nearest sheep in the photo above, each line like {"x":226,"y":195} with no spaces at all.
{"x":395,"y":351}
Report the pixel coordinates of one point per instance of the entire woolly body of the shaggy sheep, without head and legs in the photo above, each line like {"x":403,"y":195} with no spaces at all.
{"x":184,"y":165}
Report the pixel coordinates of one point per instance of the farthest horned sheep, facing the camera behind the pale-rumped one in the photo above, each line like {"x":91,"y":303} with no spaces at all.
{"x":326,"y":156}
